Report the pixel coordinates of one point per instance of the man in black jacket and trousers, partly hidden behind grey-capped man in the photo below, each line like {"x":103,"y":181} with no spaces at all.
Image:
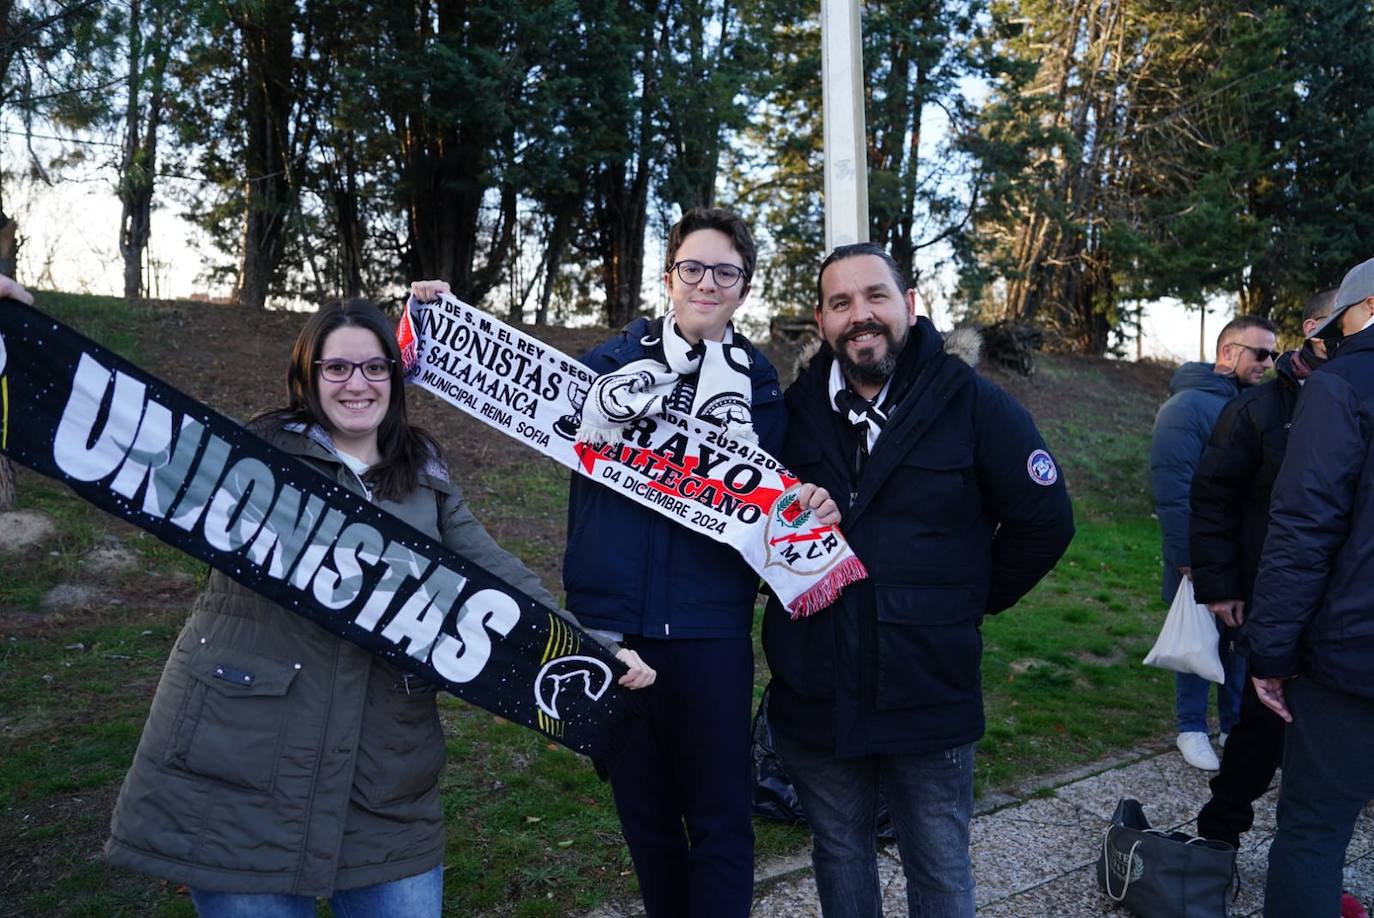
{"x":1230,"y":516}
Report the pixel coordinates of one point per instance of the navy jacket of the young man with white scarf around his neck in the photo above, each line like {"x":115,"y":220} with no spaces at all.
{"x":630,"y":570}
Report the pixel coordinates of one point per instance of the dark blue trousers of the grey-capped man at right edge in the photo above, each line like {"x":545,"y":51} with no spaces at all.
{"x":1327,"y":781}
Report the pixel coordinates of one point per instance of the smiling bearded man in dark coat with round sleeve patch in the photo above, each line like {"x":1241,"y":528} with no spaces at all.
{"x":957,"y":509}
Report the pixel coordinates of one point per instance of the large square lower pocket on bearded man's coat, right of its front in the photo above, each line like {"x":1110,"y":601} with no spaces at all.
{"x":930,"y":647}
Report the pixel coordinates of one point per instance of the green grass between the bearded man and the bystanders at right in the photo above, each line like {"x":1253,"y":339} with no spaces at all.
{"x":1063,"y":677}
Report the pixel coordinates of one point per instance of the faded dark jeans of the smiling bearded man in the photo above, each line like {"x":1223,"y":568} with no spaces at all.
{"x":931,"y":801}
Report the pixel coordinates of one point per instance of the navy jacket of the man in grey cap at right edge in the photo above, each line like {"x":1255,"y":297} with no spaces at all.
{"x":1314,"y":600}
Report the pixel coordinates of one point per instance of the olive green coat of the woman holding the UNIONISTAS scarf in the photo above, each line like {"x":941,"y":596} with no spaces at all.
{"x":322,"y":774}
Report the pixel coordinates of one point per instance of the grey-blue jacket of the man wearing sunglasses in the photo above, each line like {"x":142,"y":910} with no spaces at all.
{"x":1182,"y":428}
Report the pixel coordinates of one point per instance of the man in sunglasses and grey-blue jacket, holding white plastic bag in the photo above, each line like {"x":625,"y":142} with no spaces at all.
{"x":1197,"y":394}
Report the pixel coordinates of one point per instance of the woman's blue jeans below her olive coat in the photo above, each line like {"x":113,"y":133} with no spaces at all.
{"x":420,"y":897}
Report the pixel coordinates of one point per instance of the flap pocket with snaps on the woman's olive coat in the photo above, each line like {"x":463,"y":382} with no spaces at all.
{"x":230,"y":725}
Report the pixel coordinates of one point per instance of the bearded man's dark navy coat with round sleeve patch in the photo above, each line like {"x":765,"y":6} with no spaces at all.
{"x":957,"y":515}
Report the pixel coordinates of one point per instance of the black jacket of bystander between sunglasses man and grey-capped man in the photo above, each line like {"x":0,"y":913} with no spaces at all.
{"x":1232,"y":487}
